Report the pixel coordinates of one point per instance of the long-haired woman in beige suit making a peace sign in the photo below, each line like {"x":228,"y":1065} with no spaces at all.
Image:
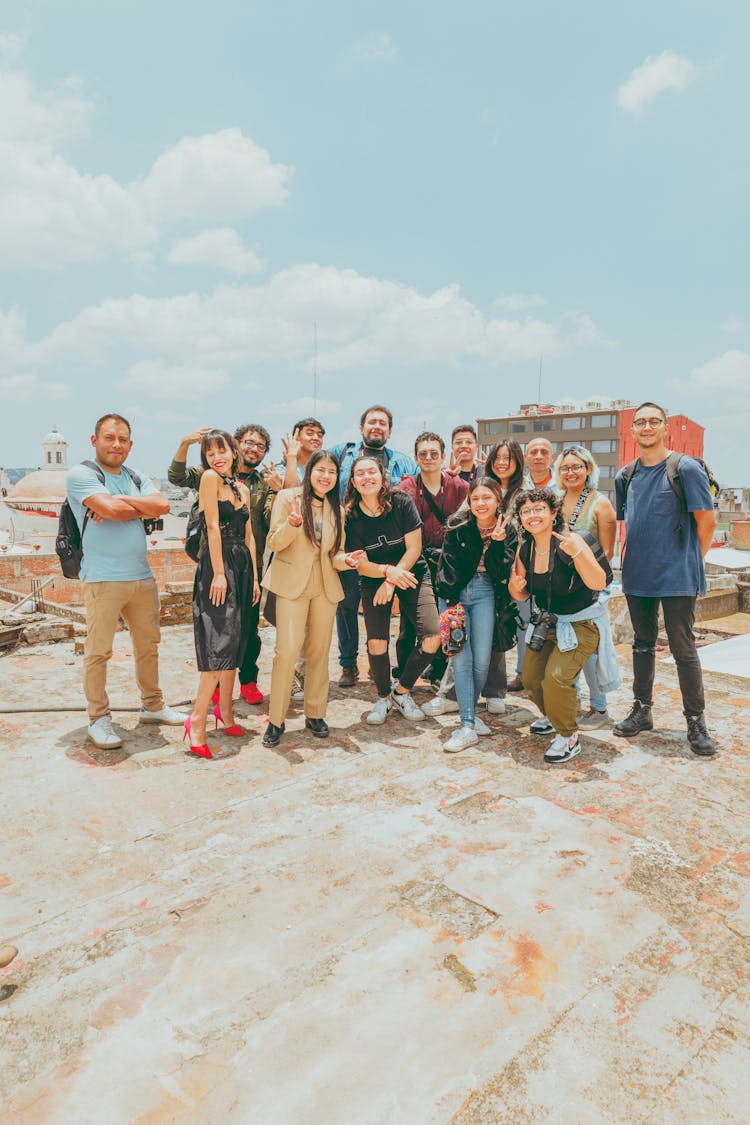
{"x":308,"y":538}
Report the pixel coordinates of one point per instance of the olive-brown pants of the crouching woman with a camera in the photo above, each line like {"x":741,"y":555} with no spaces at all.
{"x":550,"y":676}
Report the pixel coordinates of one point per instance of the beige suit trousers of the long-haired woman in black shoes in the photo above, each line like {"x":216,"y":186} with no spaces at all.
{"x":306,"y":620}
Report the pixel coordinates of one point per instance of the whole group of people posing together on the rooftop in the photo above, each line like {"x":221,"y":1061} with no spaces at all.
{"x":483,"y":555}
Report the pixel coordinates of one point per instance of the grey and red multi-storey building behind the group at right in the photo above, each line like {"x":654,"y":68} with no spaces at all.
{"x":603,"y":427}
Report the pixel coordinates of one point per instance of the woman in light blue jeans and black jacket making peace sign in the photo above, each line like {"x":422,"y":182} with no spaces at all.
{"x":474,"y":570}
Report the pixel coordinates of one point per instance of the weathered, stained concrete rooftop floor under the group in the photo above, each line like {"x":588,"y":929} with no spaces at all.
{"x":367,"y":930}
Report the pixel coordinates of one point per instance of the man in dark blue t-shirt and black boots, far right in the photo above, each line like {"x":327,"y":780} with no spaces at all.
{"x":663,"y":563}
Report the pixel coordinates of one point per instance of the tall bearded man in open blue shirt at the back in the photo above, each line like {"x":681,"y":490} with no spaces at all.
{"x":376,"y":425}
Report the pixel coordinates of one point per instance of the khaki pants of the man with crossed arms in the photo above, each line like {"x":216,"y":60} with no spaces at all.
{"x":138,"y":604}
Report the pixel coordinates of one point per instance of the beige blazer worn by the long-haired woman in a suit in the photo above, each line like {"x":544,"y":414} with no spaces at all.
{"x":294,"y":554}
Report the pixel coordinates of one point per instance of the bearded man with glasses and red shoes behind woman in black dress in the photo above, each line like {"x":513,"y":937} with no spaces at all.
{"x":254,"y":443}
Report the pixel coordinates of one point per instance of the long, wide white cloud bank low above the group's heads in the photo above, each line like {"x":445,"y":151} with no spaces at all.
{"x":363,"y":322}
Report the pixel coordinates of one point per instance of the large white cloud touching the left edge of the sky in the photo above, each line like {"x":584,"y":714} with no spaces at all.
{"x":51,"y":214}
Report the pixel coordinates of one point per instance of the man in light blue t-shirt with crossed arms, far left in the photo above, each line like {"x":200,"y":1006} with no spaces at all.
{"x":116,"y":577}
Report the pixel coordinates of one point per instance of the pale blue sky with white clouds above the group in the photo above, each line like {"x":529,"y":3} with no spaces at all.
{"x":231,"y":213}
